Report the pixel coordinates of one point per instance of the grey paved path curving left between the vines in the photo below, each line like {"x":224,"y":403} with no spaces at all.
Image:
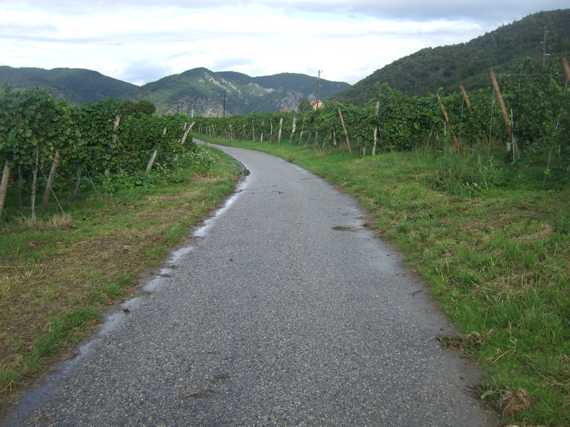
{"x":284,"y":311}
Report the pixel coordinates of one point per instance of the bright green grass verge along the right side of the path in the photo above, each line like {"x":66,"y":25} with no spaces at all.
{"x":496,"y":257}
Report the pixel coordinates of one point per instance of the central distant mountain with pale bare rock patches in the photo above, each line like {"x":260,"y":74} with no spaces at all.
{"x":203,"y":91}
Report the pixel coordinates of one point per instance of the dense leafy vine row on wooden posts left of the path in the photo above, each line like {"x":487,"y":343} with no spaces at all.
{"x":49,"y":147}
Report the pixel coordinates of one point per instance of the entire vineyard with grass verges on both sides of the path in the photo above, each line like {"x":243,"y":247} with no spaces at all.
{"x":495,"y":260}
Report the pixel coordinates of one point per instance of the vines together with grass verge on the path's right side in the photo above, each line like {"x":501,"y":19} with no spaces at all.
{"x":474,"y":189}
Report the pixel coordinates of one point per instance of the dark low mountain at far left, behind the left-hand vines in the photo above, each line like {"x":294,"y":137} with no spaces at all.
{"x":75,"y":85}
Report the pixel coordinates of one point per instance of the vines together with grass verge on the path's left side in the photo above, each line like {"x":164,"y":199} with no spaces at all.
{"x":92,"y":197}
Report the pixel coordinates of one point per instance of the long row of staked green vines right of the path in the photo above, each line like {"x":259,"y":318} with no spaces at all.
{"x":525,"y":112}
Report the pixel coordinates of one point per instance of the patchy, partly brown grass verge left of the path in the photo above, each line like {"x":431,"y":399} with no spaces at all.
{"x":59,"y":276}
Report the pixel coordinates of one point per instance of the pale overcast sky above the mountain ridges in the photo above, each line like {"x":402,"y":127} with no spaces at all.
{"x":143,"y":40}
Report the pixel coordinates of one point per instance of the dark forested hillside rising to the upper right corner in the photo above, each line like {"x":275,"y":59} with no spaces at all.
{"x":429,"y":69}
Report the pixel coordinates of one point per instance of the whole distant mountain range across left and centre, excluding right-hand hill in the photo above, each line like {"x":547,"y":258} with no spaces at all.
{"x":199,"y":90}
